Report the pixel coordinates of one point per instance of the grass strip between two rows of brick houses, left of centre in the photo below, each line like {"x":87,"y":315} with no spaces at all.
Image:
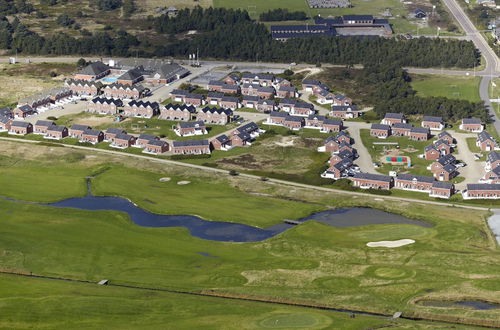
{"x":153,"y":126}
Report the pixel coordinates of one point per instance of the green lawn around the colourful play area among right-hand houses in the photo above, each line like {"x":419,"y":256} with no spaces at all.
{"x":407,"y":148}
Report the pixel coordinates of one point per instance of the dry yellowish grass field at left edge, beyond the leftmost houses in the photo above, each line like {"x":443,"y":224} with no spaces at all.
{"x":21,"y":80}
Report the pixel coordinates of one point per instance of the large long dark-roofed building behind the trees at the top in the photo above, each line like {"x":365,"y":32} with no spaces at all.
{"x":347,"y":25}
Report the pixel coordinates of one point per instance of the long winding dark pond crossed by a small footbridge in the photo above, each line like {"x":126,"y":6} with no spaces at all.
{"x":233,"y":231}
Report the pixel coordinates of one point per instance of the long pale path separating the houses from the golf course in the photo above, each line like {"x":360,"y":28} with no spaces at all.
{"x":254,"y":177}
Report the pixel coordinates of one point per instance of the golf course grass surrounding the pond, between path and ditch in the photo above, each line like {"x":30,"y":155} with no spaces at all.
{"x":311,"y":263}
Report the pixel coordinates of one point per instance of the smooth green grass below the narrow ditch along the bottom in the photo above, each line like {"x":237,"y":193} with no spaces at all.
{"x":118,"y":308}
